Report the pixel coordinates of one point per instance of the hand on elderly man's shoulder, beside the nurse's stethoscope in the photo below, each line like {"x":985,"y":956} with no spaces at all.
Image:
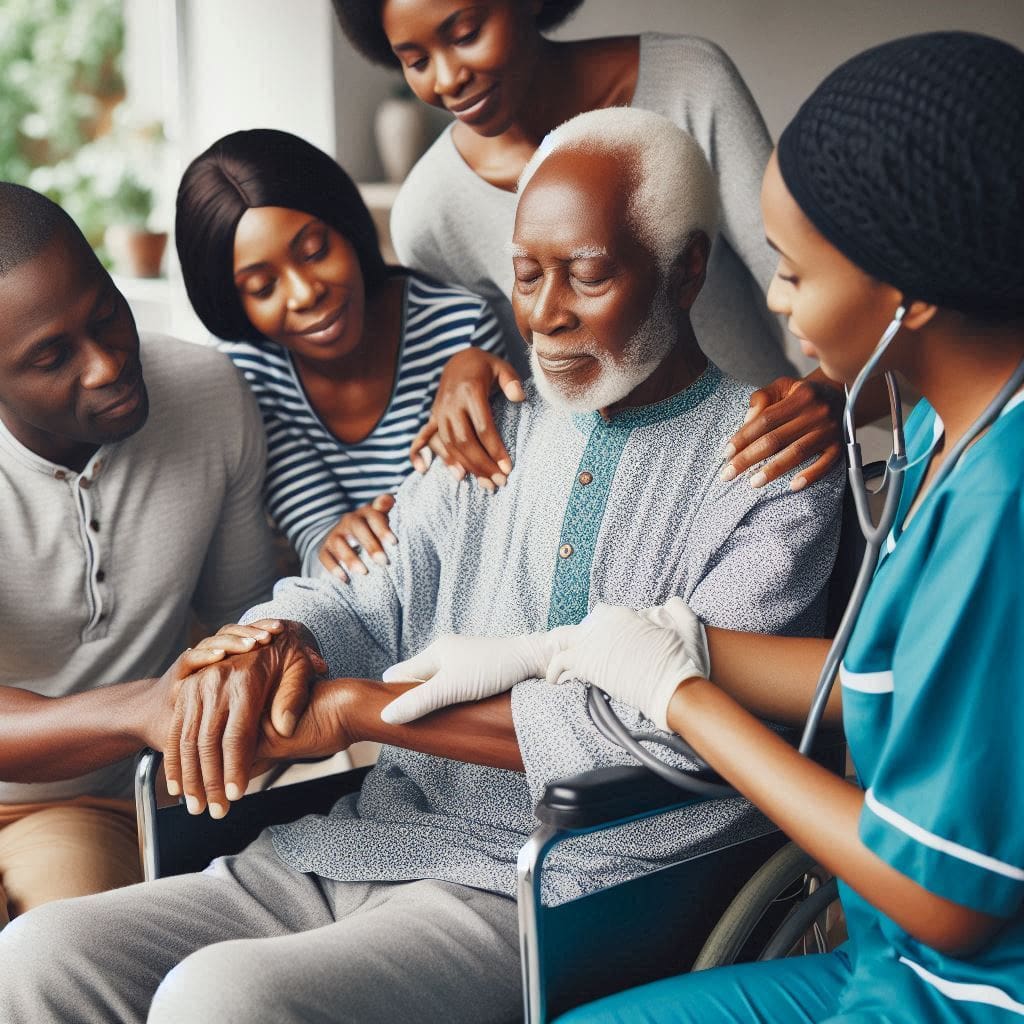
{"x":789,"y":422}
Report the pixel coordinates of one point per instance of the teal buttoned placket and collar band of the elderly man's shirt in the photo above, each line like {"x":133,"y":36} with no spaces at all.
{"x":589,"y":497}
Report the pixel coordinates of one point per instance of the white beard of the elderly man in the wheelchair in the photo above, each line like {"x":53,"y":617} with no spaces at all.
{"x":644,"y":354}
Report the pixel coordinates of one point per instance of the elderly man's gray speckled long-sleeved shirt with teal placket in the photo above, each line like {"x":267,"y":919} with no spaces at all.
{"x":628,"y":513}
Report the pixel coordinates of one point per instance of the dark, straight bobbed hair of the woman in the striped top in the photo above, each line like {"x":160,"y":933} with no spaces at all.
{"x":261,"y":167}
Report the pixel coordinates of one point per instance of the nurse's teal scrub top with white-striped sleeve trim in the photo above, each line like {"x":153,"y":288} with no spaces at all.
{"x":933,"y":705}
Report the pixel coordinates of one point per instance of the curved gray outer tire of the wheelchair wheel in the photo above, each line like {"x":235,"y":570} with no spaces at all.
{"x":787,"y":877}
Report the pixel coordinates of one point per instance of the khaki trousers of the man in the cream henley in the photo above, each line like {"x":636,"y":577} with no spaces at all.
{"x":72,"y":848}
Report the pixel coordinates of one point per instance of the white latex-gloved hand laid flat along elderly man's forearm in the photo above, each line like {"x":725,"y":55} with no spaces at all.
{"x":455,"y":669}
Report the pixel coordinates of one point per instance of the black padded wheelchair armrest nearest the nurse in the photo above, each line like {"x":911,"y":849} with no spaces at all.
{"x":607,"y":795}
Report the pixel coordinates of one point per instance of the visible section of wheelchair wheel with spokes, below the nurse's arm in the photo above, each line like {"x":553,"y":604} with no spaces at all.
{"x":784,"y":911}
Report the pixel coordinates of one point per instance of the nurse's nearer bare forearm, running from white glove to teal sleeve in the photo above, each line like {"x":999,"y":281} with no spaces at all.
{"x":820,"y":812}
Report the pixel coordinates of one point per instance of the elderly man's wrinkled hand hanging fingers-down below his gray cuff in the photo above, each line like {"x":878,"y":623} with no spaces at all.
{"x":211,"y":743}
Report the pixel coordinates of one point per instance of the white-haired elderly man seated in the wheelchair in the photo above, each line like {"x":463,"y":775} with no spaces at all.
{"x":398,"y":906}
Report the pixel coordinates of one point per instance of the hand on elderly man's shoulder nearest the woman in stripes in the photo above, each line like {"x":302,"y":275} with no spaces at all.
{"x":461,"y":430}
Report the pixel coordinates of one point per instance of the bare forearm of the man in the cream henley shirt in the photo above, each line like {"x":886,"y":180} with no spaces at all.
{"x":48,"y":739}
